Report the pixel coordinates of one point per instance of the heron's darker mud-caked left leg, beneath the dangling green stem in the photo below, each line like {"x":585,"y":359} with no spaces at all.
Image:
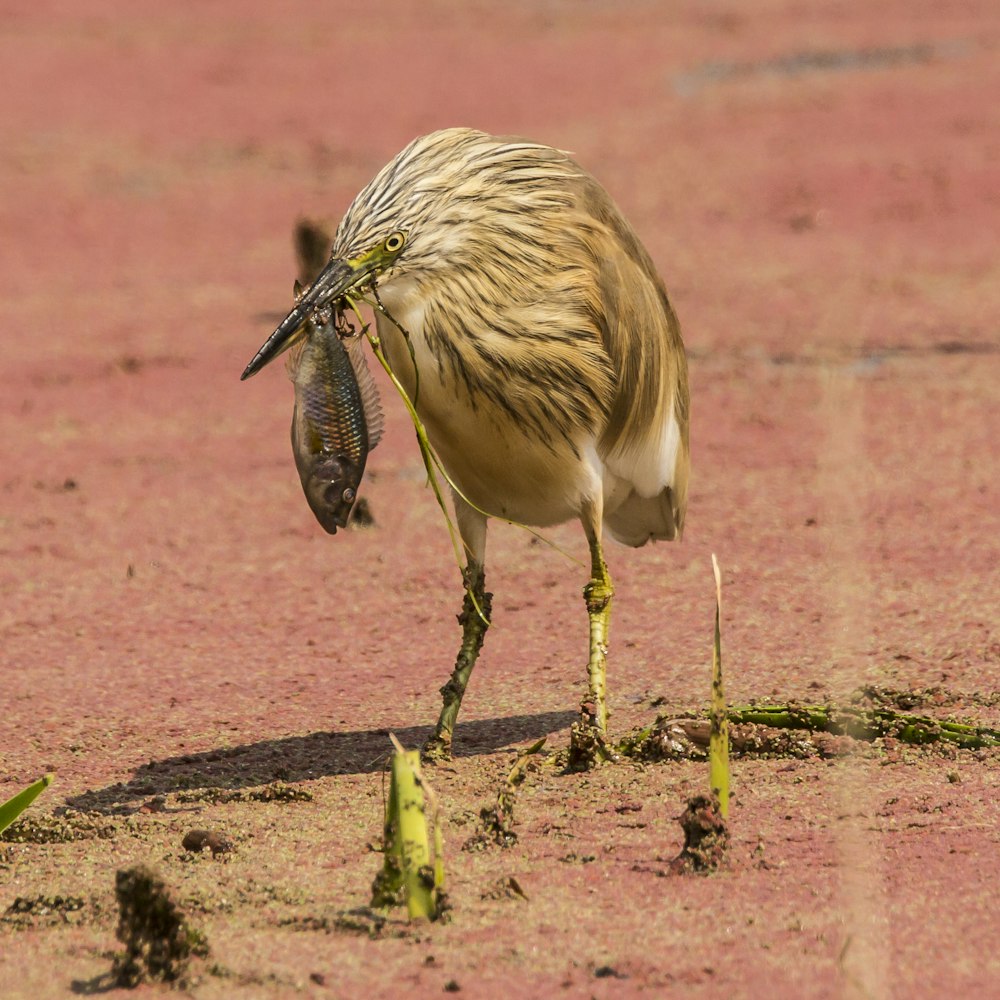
{"x":474,"y":619}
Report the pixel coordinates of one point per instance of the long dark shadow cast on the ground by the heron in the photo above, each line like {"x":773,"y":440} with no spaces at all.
{"x":303,"y":758}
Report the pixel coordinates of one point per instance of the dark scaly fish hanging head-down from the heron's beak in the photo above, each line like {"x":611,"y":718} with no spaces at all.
{"x":337,"y":418}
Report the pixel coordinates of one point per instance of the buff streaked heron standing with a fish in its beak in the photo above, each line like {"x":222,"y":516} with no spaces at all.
{"x":530,"y":328}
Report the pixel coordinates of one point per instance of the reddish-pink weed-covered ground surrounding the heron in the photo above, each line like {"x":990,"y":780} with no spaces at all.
{"x":819,"y":187}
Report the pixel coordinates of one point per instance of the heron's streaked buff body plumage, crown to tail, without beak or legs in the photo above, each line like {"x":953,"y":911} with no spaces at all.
{"x":534,"y":306}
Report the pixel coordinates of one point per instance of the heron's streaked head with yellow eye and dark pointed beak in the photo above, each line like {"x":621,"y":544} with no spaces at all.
{"x":450,"y":199}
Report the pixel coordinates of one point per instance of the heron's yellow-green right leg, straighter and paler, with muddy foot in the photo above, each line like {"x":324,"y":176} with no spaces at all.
{"x":587,"y":742}
